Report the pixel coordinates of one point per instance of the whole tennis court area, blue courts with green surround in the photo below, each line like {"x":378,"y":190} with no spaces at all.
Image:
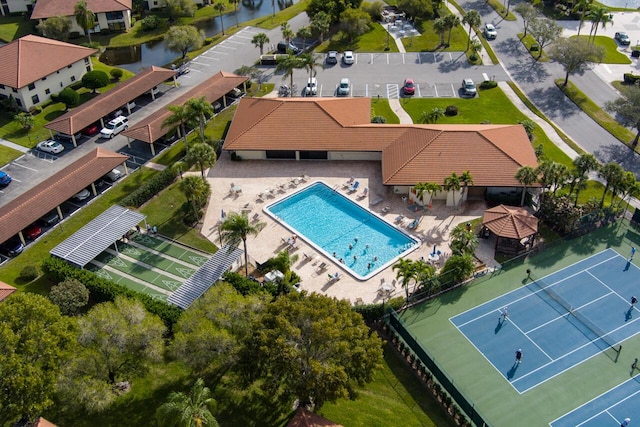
{"x":567,"y":319}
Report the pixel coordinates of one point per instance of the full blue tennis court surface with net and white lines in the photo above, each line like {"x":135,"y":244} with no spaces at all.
{"x":586,"y":311}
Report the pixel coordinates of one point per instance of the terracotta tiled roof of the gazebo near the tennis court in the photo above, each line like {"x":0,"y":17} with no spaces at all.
{"x":510,"y":222}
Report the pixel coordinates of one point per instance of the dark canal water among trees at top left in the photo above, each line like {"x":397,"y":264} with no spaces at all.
{"x":137,"y":57}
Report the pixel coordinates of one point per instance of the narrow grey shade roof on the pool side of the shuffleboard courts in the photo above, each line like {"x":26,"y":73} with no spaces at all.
{"x":206,"y":276}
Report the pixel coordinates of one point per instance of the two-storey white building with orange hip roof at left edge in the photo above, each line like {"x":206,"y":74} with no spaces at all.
{"x":35,"y":67}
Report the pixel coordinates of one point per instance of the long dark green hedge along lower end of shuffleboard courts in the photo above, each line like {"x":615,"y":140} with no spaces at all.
{"x":103,"y":290}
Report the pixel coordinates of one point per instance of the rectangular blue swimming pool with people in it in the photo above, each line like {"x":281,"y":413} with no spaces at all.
{"x":335,"y":224}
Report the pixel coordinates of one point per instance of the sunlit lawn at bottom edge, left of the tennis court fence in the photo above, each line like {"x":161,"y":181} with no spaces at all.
{"x":395,"y":397}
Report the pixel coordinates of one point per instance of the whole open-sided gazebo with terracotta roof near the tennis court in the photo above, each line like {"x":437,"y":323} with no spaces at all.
{"x":514,"y":227}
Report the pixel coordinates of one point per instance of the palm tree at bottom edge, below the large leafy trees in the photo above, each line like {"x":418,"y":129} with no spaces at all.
{"x":193,"y":410}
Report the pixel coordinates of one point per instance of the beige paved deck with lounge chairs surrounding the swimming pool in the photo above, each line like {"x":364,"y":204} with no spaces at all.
{"x":255,"y":177}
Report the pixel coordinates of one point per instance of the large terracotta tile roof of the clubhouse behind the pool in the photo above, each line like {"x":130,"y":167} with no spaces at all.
{"x":410,"y":153}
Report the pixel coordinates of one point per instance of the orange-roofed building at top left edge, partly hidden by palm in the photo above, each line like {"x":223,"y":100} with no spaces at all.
{"x":111,"y":15}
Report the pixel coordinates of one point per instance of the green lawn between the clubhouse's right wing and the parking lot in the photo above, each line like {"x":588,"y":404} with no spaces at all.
{"x":482,"y":109}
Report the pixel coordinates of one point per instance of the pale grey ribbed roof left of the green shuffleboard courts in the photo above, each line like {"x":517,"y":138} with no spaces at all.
{"x":102,"y":232}
